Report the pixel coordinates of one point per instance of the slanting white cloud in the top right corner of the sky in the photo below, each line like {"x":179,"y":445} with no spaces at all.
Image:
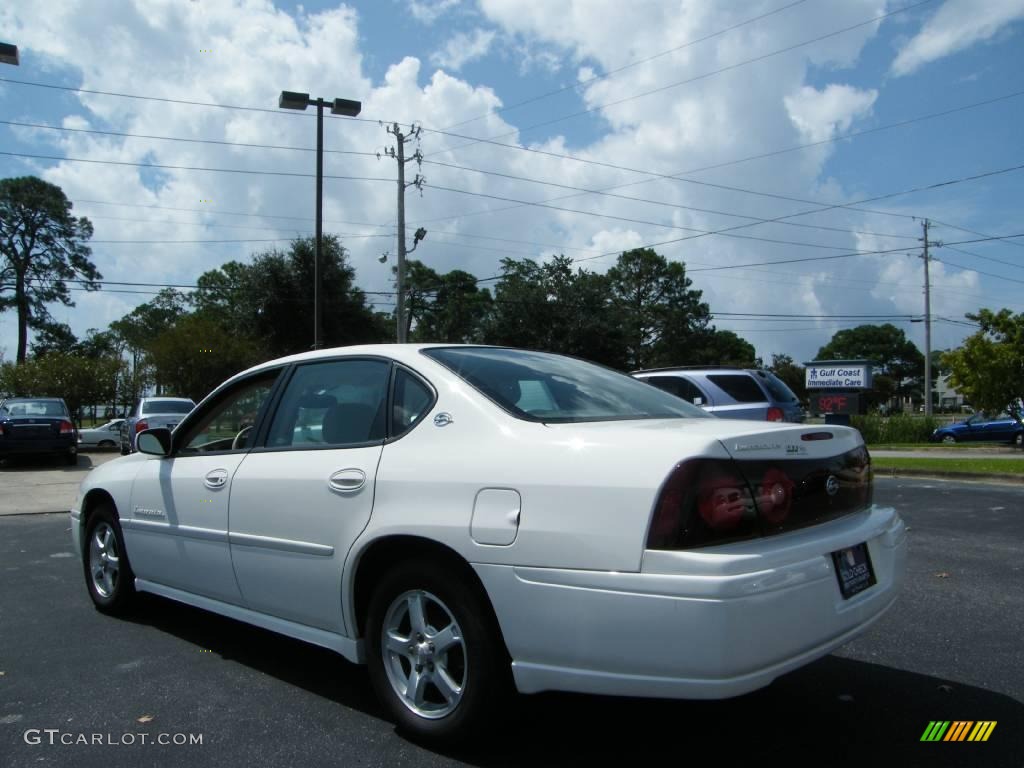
{"x":958,"y":25}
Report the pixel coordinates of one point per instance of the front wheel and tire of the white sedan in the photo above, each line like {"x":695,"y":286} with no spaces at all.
{"x":109,"y":577}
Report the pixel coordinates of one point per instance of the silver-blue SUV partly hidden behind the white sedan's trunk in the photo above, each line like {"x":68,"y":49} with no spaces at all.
{"x":730,"y":393}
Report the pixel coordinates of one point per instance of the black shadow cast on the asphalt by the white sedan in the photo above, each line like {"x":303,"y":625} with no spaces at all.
{"x":838,"y":711}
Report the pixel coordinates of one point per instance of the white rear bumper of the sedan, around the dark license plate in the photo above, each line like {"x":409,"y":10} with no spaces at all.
{"x":698,"y":625}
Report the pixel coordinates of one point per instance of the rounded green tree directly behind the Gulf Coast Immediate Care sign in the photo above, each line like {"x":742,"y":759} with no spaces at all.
{"x":894,"y":356}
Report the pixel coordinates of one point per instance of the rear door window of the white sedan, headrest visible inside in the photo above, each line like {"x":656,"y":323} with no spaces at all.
{"x":331,"y":405}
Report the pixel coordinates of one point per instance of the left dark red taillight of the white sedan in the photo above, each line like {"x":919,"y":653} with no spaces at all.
{"x":703,"y":502}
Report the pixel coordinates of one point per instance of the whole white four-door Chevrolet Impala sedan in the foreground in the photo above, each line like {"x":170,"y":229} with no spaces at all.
{"x":467,"y":521}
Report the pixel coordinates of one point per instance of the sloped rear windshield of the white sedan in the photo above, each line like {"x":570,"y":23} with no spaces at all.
{"x":539,"y":387}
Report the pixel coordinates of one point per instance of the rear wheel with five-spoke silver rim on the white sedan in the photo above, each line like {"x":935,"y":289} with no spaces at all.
{"x":462,"y":689}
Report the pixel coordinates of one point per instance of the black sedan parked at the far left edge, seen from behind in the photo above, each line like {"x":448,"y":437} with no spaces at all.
{"x":37,"y":425}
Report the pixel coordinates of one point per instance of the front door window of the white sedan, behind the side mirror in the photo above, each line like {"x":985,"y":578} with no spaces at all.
{"x":229,"y":425}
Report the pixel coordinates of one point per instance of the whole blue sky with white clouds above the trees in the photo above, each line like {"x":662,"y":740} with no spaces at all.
{"x":443,"y":63}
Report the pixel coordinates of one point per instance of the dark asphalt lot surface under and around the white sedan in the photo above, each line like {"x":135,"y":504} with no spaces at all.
{"x":950,"y":651}
